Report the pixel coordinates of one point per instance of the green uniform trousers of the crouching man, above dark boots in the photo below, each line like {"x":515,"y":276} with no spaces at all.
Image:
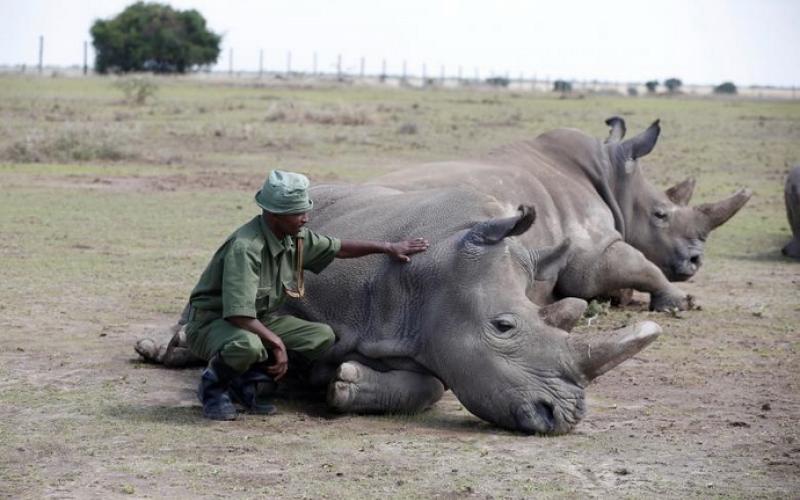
{"x":208,"y":334}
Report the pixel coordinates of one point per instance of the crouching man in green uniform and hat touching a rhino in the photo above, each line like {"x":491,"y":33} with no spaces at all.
{"x":233,"y":320}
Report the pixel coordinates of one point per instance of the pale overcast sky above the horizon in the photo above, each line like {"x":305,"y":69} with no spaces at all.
{"x":699,"y":41}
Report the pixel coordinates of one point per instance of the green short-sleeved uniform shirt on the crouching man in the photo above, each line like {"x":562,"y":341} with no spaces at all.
{"x":247,"y":275}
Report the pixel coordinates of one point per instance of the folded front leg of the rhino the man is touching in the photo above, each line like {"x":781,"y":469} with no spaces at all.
{"x":359,"y":389}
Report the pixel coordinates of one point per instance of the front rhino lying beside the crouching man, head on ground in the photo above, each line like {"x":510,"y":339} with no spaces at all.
{"x":456,"y":317}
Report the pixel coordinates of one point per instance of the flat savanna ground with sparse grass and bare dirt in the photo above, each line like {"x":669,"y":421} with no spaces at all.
{"x":109,"y":211}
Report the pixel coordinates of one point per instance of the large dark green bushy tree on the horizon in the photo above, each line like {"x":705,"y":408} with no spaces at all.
{"x":154,"y":37}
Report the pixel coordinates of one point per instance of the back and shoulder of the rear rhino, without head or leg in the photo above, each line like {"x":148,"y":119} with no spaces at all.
{"x":549,"y":173}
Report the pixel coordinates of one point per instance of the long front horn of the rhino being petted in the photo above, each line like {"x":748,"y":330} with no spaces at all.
{"x":595,"y":356}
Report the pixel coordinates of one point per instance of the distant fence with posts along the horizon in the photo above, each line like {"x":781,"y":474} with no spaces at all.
{"x":406,"y":78}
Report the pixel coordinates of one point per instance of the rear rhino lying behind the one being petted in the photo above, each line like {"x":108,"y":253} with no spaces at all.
{"x":625,"y":233}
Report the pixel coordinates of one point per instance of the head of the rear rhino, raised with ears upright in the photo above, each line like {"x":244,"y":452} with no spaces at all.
{"x":662,"y":225}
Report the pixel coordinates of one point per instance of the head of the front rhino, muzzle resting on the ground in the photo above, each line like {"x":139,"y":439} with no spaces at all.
{"x":509,"y":361}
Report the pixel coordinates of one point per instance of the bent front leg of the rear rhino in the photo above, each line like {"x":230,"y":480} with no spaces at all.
{"x":621,"y":266}
